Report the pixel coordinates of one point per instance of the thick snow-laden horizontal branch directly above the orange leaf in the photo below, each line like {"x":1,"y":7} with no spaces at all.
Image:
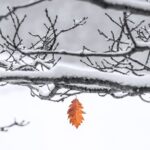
{"x":86,"y":80}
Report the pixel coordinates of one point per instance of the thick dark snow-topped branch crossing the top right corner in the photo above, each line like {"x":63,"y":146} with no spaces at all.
{"x":133,"y":6}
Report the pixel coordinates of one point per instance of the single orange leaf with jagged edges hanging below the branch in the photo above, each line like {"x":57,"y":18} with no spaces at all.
{"x":75,"y":113}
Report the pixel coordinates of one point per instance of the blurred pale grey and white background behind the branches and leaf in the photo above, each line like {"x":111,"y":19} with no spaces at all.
{"x":110,"y":124}
